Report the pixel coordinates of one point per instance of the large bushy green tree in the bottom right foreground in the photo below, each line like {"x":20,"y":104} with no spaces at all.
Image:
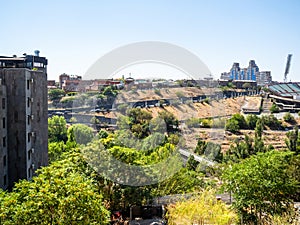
{"x":261,"y":184}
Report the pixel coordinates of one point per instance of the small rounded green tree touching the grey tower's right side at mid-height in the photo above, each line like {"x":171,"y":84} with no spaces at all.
{"x":57,"y":129}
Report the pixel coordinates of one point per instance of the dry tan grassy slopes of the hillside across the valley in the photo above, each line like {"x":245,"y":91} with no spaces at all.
{"x":222,"y":107}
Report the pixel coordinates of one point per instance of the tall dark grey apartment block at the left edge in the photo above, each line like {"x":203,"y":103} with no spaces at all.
{"x":23,"y":117}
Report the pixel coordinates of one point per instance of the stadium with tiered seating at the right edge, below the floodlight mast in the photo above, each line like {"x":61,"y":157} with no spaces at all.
{"x":286,"y":95}
